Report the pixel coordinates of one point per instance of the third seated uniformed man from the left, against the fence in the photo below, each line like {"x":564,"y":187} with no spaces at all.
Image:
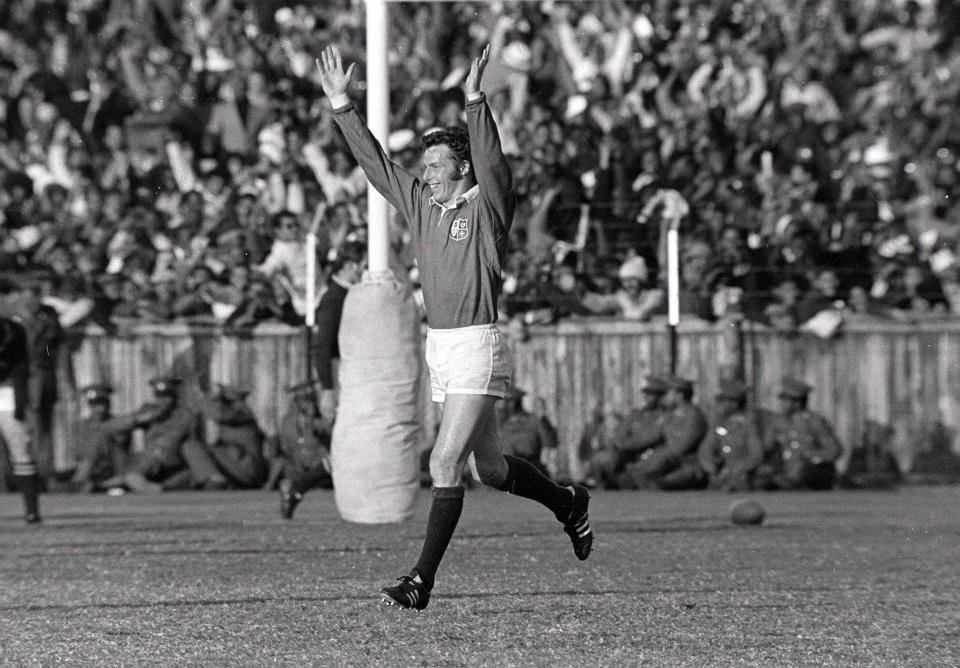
{"x":238,"y":447}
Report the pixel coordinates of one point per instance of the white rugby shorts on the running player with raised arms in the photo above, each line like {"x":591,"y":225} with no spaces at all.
{"x":468,"y":360}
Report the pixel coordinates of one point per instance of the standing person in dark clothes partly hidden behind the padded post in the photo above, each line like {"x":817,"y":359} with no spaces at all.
{"x":346,"y":271}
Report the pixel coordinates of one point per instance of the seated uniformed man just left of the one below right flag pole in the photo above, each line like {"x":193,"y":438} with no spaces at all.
{"x":639,"y":431}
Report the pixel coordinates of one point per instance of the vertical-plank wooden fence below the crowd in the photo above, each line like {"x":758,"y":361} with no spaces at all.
{"x":907,"y":376}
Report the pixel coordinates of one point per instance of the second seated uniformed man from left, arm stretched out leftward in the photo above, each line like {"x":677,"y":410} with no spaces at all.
{"x":173,"y":457}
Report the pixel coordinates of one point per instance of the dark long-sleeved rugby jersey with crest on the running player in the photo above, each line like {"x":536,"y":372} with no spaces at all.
{"x":460,"y":250}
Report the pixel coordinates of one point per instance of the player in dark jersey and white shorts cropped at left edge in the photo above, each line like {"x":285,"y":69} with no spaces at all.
{"x":14,"y":382}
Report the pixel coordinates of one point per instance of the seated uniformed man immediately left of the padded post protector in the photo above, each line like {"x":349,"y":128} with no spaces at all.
{"x":303,"y":443}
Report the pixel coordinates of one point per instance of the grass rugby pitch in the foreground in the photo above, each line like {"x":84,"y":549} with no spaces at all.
{"x":218,"y":578}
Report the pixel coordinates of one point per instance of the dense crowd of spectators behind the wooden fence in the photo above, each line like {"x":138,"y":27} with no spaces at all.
{"x":161,"y":160}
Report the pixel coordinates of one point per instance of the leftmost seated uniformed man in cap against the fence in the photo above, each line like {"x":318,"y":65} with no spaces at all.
{"x":101,"y":448}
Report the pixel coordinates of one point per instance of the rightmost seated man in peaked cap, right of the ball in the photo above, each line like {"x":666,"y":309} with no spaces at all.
{"x":800,"y":446}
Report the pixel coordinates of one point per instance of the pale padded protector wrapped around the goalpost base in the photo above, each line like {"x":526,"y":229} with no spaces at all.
{"x":374,"y":451}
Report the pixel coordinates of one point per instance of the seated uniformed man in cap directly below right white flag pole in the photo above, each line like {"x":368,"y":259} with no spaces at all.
{"x":673,"y":463}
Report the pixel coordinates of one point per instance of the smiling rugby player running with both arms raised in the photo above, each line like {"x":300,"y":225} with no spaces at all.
{"x":459,"y":213}
